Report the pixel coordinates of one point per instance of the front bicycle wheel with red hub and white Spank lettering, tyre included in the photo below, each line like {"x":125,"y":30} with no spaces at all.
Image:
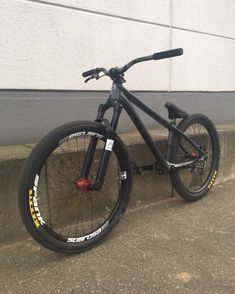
{"x":56,"y":213}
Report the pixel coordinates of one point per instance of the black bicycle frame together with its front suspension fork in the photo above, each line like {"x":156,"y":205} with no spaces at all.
{"x":121,"y":98}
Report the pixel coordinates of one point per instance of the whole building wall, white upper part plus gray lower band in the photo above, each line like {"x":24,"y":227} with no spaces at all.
{"x":46,"y":45}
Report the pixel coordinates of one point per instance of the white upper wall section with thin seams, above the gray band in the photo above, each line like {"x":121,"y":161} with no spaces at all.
{"x":46,"y":46}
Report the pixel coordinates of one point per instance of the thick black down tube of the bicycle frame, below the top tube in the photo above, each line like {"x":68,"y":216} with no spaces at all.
{"x":143,"y":131}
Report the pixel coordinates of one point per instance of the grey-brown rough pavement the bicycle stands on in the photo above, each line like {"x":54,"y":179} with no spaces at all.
{"x":167,"y":246}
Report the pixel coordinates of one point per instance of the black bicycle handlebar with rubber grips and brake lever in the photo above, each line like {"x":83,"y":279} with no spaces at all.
{"x":94,"y":73}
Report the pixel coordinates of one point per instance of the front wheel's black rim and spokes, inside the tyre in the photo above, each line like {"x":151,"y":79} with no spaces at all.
{"x":67,"y":213}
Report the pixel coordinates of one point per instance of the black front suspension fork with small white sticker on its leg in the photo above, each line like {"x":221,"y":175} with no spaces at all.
{"x":110,"y":129}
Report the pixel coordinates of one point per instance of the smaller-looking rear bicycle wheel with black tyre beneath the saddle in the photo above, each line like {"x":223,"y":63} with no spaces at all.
{"x":193,"y":182}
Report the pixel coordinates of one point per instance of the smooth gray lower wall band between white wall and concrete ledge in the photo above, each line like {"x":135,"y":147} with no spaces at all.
{"x":25,"y":116}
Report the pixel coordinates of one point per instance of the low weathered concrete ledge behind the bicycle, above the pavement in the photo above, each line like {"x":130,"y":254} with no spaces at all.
{"x":147,"y":187}
